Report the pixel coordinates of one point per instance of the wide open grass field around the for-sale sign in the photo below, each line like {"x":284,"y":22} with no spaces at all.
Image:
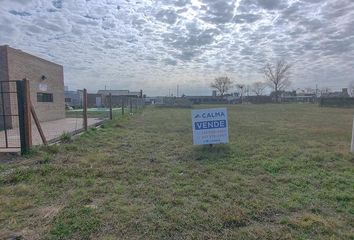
{"x":286,"y":174}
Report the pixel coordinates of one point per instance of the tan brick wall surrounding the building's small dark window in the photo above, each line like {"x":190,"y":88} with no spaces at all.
{"x":23,"y":65}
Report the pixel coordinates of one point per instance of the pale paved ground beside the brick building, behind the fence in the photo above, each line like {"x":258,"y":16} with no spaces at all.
{"x":51,"y":129}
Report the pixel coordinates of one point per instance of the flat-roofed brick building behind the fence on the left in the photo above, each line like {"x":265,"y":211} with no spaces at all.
{"x":46,"y":84}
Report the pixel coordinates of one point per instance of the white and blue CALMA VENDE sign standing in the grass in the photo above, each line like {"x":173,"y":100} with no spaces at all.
{"x":210,"y":126}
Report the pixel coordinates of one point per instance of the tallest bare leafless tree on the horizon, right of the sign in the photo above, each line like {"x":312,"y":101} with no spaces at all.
{"x":277,"y":76}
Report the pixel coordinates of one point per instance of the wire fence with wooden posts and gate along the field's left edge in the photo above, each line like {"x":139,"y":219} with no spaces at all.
{"x":46,"y":121}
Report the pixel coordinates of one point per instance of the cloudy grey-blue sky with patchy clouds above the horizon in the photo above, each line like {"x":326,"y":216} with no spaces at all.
{"x":155,"y":45}
